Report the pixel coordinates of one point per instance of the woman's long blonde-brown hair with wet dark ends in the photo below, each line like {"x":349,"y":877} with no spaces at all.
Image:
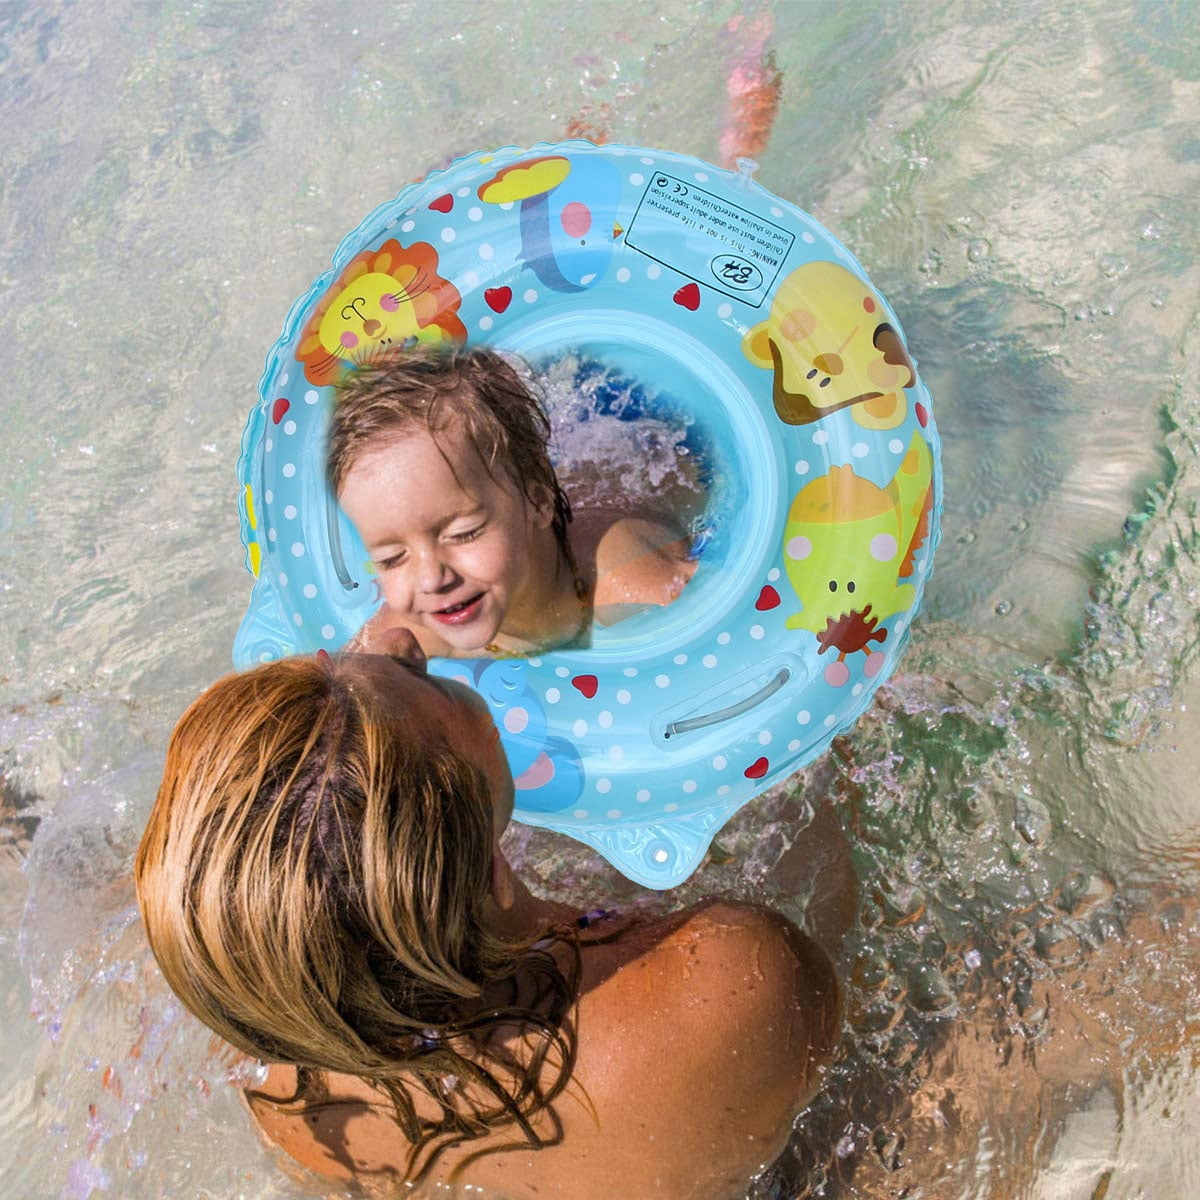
{"x":313,"y":884}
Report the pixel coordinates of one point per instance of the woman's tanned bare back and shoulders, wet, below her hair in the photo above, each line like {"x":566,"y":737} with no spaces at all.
{"x":700,"y":1039}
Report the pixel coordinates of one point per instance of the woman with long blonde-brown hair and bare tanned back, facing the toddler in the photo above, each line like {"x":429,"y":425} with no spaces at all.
{"x":322,"y":885}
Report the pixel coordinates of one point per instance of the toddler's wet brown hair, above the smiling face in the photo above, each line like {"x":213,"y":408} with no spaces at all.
{"x":433,"y":388}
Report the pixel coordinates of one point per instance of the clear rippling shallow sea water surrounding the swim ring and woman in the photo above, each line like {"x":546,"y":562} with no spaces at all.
{"x":1019,"y":179}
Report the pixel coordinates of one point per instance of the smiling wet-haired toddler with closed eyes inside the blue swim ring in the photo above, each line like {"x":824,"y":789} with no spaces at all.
{"x":440,"y":459}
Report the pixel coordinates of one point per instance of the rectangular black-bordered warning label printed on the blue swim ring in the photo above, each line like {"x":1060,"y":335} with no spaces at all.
{"x":709,"y":239}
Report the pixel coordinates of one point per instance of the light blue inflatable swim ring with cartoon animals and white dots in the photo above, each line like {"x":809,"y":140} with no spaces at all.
{"x":707,"y":287}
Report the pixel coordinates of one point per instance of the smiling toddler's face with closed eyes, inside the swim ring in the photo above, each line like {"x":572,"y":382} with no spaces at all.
{"x":454,"y":548}
